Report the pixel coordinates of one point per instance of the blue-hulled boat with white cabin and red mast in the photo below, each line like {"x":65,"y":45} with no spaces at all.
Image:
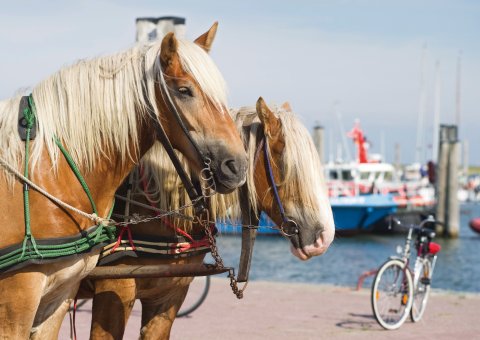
{"x":365,"y":195}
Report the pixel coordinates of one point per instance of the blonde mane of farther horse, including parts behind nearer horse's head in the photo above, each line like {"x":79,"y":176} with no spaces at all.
{"x":302,"y":181}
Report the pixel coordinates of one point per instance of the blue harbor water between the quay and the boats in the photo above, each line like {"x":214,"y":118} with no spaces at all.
{"x":457,"y":267}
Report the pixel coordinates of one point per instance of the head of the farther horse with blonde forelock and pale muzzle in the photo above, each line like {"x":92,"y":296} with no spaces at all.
{"x":307,"y":217}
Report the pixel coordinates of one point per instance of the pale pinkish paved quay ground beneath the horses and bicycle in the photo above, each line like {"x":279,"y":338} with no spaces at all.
{"x":300,"y":311}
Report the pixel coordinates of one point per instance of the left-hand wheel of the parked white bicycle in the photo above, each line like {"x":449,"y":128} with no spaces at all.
{"x":392,"y":293}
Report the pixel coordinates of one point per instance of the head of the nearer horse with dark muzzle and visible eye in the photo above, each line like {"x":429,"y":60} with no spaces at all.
{"x":192,"y":88}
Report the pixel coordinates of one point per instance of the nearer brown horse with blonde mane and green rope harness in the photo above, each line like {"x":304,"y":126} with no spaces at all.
{"x":104,"y":112}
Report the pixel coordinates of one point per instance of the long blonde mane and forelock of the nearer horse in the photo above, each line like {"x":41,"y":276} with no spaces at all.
{"x":93,"y":105}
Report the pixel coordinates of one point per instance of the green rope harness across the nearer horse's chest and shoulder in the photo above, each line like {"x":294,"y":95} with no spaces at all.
{"x":47,"y":250}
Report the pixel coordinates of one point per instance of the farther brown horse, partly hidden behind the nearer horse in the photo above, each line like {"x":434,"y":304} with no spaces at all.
{"x":301,"y":189}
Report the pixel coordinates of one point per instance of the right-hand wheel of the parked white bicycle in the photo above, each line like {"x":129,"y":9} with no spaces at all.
{"x":422,"y":290}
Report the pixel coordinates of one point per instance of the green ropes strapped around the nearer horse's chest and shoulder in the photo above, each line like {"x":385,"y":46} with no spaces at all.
{"x":30,"y":249}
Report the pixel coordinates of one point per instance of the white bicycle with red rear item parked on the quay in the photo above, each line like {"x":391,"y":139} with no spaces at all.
{"x":397,"y":290}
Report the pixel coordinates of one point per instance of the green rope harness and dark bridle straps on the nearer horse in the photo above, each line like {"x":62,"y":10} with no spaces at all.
{"x":33,"y":251}
